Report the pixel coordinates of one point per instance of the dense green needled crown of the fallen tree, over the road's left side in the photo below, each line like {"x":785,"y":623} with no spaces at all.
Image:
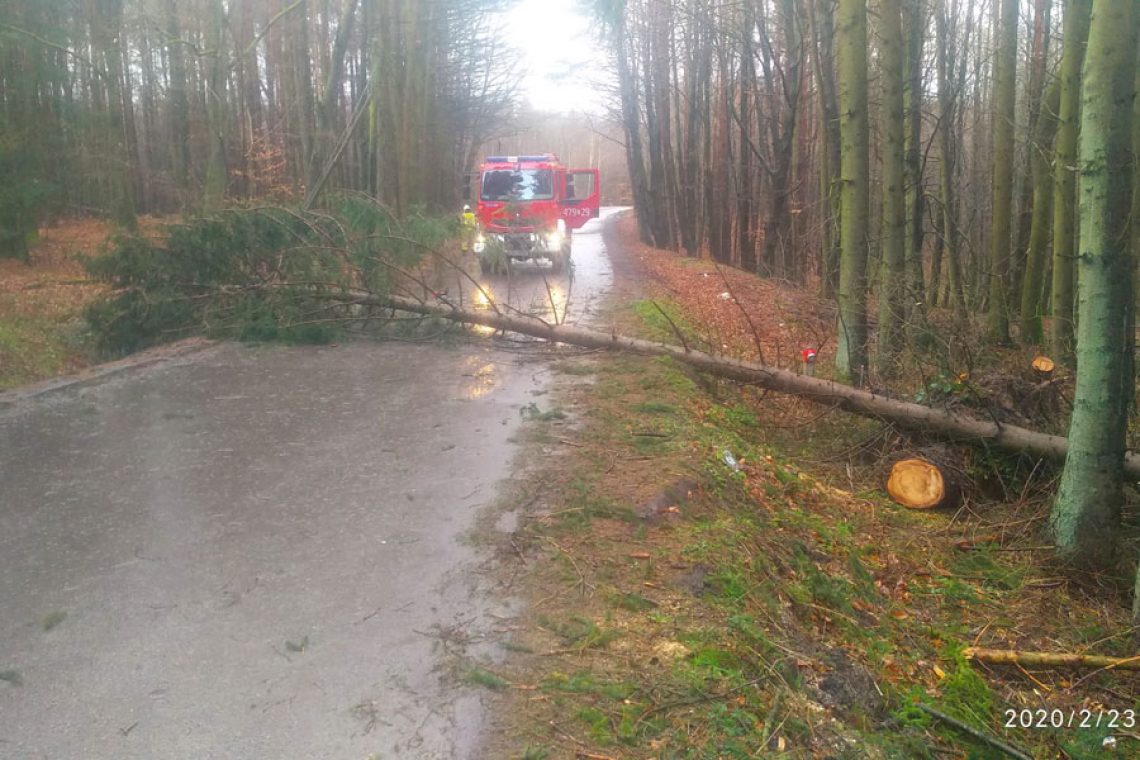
{"x":255,"y":274}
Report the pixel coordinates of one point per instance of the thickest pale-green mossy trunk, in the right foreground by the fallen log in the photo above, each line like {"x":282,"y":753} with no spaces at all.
{"x":1087,"y":512}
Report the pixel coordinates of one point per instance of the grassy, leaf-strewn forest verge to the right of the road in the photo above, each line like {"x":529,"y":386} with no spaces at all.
{"x":685,"y":607}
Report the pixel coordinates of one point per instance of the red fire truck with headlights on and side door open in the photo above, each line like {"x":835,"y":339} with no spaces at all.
{"x":530,"y":208}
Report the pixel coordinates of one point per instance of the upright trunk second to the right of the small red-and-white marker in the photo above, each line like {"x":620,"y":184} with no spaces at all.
{"x":893,"y":267}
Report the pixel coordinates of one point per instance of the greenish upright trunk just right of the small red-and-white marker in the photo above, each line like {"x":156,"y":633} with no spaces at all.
{"x":851,"y":355}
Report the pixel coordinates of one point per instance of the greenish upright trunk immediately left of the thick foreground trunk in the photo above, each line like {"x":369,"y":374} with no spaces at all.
{"x":1077,"y":34}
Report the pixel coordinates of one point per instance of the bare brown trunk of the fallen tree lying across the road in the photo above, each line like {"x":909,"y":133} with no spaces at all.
{"x":942,"y":423}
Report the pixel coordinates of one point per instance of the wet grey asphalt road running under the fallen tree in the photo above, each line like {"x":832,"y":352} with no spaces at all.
{"x":257,"y":551}
